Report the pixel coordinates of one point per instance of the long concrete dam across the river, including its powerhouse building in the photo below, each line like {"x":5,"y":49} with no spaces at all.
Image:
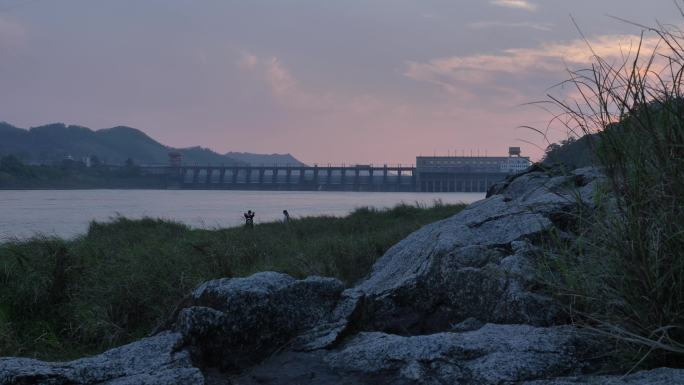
{"x":429,"y":174}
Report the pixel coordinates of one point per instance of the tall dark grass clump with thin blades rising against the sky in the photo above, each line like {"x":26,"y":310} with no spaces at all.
{"x":624,"y":275}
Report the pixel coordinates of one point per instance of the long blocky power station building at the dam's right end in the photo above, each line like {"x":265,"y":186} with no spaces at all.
{"x":466,"y":173}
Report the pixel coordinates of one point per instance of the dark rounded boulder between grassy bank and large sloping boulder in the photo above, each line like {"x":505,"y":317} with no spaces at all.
{"x":235,"y":323}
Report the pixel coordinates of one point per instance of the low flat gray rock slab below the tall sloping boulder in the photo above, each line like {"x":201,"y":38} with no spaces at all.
{"x":493,"y":354}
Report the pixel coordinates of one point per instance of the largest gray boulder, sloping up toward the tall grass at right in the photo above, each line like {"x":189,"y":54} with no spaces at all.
{"x":478,"y":263}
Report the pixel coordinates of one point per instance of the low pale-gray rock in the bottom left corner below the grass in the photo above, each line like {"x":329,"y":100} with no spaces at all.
{"x":158,"y":360}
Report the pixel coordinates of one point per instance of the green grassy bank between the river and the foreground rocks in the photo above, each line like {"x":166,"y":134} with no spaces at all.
{"x":62,"y":299}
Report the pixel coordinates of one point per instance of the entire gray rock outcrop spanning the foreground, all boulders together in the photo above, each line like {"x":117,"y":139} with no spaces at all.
{"x":454,"y":303}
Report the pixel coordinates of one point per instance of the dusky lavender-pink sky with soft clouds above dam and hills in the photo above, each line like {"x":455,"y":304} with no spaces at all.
{"x":373,"y":81}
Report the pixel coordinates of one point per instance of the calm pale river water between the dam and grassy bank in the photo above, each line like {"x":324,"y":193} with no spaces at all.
{"x":66,"y":213}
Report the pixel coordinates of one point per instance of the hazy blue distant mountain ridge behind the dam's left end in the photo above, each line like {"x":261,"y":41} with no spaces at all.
{"x":57,"y":141}
